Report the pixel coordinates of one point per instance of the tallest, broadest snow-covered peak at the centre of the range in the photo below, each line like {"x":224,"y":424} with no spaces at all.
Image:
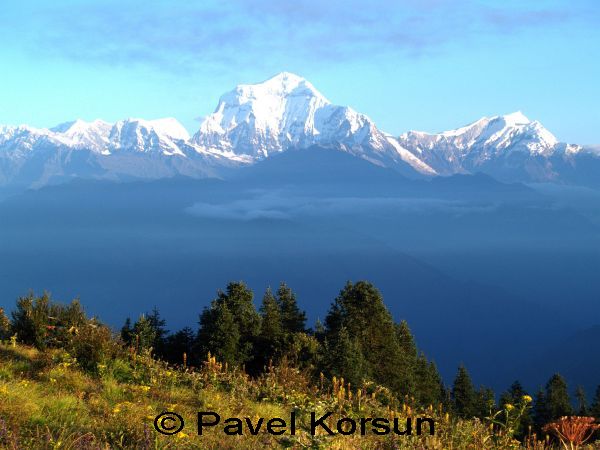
{"x":286,"y":111}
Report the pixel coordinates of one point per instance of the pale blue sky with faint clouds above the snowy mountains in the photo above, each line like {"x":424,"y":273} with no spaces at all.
{"x":414,"y":64}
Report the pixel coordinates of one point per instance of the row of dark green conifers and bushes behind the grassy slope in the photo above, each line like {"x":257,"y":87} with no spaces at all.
{"x":358,"y":341}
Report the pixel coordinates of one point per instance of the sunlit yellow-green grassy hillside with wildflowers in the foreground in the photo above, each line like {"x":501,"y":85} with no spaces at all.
{"x":48,"y":402}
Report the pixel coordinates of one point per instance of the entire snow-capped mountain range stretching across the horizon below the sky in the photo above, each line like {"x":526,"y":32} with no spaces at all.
{"x":255,"y":122}
